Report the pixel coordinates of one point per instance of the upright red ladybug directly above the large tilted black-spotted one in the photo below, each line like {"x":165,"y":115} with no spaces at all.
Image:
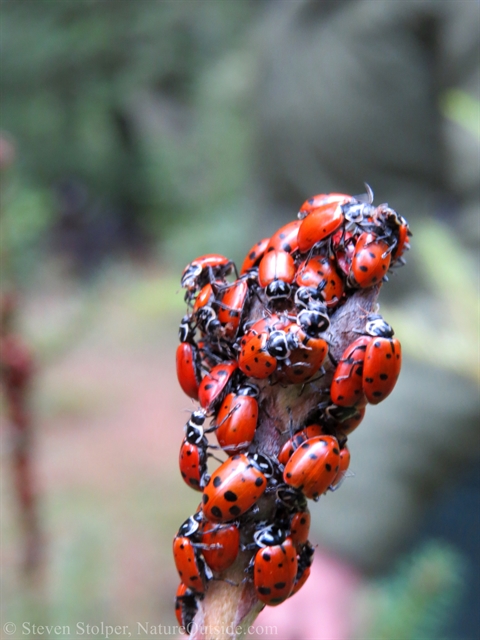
{"x":237,"y":420}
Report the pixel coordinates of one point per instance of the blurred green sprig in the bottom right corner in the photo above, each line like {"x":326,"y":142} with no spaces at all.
{"x":418,"y":600}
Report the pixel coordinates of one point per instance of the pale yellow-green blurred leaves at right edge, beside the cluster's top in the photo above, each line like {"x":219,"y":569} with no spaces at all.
{"x":454,"y":319}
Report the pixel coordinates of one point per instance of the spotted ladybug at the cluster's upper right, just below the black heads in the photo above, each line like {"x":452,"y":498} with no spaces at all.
{"x":370,"y":261}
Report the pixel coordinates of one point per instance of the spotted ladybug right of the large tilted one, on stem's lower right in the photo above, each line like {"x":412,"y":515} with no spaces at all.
{"x":313,"y":466}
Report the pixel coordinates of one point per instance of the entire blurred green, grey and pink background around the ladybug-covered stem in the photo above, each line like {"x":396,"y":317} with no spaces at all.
{"x":138,"y":135}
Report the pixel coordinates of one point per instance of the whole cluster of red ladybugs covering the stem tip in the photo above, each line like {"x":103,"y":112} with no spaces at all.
{"x":295,"y":280}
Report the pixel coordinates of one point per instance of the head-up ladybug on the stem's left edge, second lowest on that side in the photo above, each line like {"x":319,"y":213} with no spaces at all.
{"x":190,"y":564}
